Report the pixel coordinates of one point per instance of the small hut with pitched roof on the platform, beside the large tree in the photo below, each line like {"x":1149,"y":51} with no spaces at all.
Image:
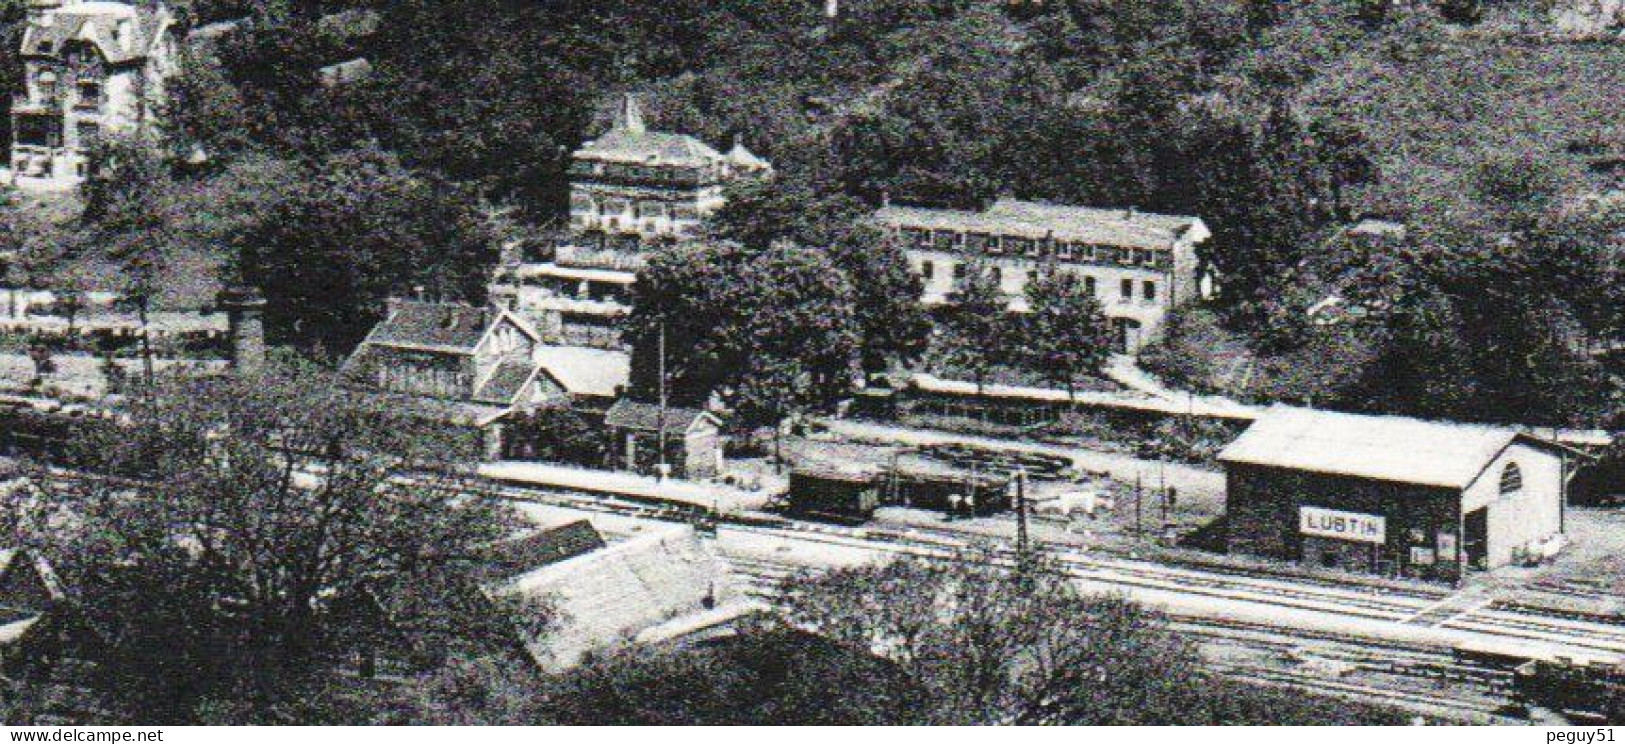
{"x":688,"y":439}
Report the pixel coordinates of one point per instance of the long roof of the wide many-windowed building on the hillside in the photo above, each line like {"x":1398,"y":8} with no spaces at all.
{"x":1122,"y":228}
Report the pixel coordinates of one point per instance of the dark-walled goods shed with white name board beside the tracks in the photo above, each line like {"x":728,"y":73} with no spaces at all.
{"x":1393,"y":496}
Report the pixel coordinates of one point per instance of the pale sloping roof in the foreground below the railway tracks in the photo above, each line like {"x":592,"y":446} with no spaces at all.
{"x":609,"y":597}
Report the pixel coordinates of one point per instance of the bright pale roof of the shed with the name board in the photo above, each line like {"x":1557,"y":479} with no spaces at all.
{"x":1379,"y":448}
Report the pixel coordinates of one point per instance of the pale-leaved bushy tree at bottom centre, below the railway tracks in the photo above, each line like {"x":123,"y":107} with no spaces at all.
{"x":999,"y":646}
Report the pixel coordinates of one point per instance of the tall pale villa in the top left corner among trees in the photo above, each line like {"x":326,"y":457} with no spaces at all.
{"x":92,"y":71}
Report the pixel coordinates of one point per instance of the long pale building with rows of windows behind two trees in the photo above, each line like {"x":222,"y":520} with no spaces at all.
{"x":1138,"y":266}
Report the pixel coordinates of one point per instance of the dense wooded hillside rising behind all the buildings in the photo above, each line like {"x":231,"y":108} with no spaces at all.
{"x":1278,"y":123}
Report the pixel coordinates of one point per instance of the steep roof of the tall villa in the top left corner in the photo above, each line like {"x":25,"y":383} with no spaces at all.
{"x":98,"y":24}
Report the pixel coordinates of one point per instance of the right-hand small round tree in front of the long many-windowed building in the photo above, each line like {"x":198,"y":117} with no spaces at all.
{"x":1064,"y":335}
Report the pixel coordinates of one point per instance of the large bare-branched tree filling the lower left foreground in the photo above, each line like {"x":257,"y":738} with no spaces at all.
{"x":274,"y":529}
